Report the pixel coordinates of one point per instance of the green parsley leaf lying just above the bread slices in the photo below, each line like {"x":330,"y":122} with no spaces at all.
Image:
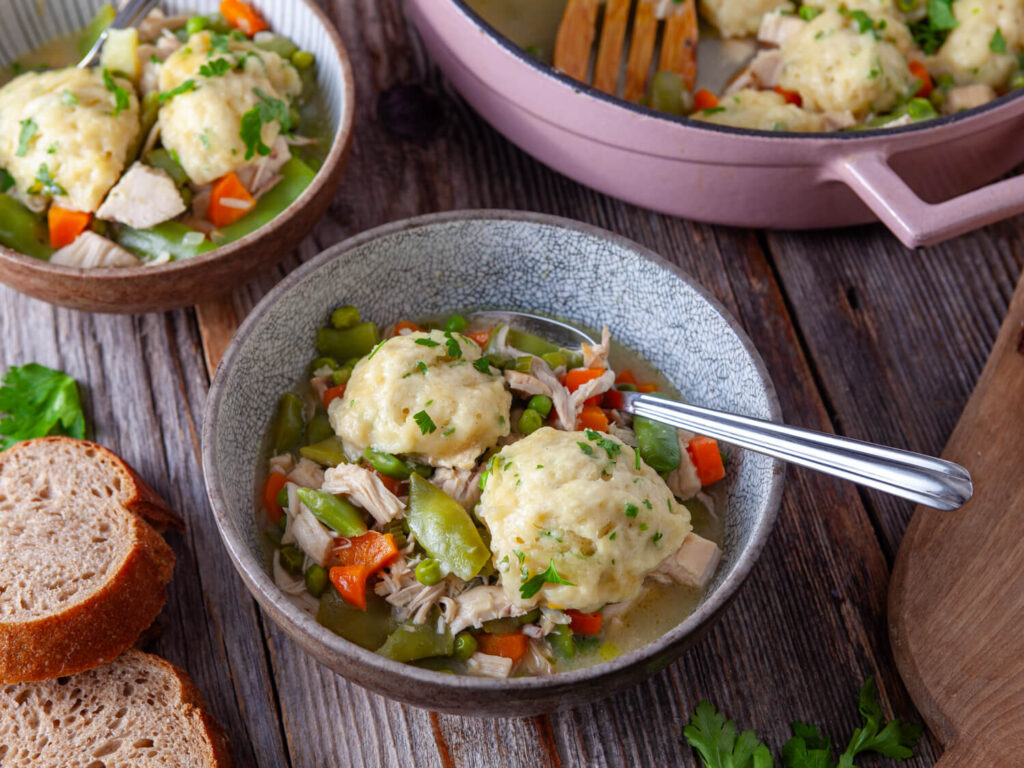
{"x":39,"y":402}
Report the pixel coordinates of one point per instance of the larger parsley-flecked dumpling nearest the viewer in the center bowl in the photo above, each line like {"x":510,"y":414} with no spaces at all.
{"x":582,"y":503}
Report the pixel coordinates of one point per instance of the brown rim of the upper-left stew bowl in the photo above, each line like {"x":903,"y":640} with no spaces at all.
{"x":335,"y":158}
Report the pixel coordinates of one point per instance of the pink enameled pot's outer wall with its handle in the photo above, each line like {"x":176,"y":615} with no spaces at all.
{"x":921,"y":181}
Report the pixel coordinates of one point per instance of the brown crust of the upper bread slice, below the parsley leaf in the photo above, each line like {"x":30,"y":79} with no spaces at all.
{"x":101,"y":627}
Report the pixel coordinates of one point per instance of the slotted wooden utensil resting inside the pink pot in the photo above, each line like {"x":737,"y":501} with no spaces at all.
{"x":579,"y":28}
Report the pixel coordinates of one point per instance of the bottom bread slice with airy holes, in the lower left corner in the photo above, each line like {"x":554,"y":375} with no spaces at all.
{"x":138,"y":711}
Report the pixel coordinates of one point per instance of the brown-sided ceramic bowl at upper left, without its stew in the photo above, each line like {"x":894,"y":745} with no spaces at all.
{"x":27,"y":24}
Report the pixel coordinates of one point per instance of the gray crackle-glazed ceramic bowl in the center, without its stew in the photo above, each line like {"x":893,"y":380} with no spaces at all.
{"x":488,"y":260}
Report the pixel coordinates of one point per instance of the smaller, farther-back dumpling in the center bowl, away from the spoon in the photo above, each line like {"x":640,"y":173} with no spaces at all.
{"x":421,"y":395}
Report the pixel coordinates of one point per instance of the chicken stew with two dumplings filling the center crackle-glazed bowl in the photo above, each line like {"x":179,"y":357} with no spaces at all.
{"x":471,"y":498}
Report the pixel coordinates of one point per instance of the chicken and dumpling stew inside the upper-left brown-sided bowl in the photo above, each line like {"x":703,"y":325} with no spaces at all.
{"x":191,"y":134}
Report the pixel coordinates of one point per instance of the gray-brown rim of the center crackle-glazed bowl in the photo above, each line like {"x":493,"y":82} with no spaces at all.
{"x":292,"y":620}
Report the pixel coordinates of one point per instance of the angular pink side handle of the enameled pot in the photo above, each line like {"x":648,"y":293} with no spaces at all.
{"x":911,"y":219}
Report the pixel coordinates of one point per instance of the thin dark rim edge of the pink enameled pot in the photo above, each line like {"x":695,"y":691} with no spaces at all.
{"x":580,"y":87}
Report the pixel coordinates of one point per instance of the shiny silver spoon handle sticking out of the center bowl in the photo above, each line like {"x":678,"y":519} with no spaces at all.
{"x":934,"y":483}
